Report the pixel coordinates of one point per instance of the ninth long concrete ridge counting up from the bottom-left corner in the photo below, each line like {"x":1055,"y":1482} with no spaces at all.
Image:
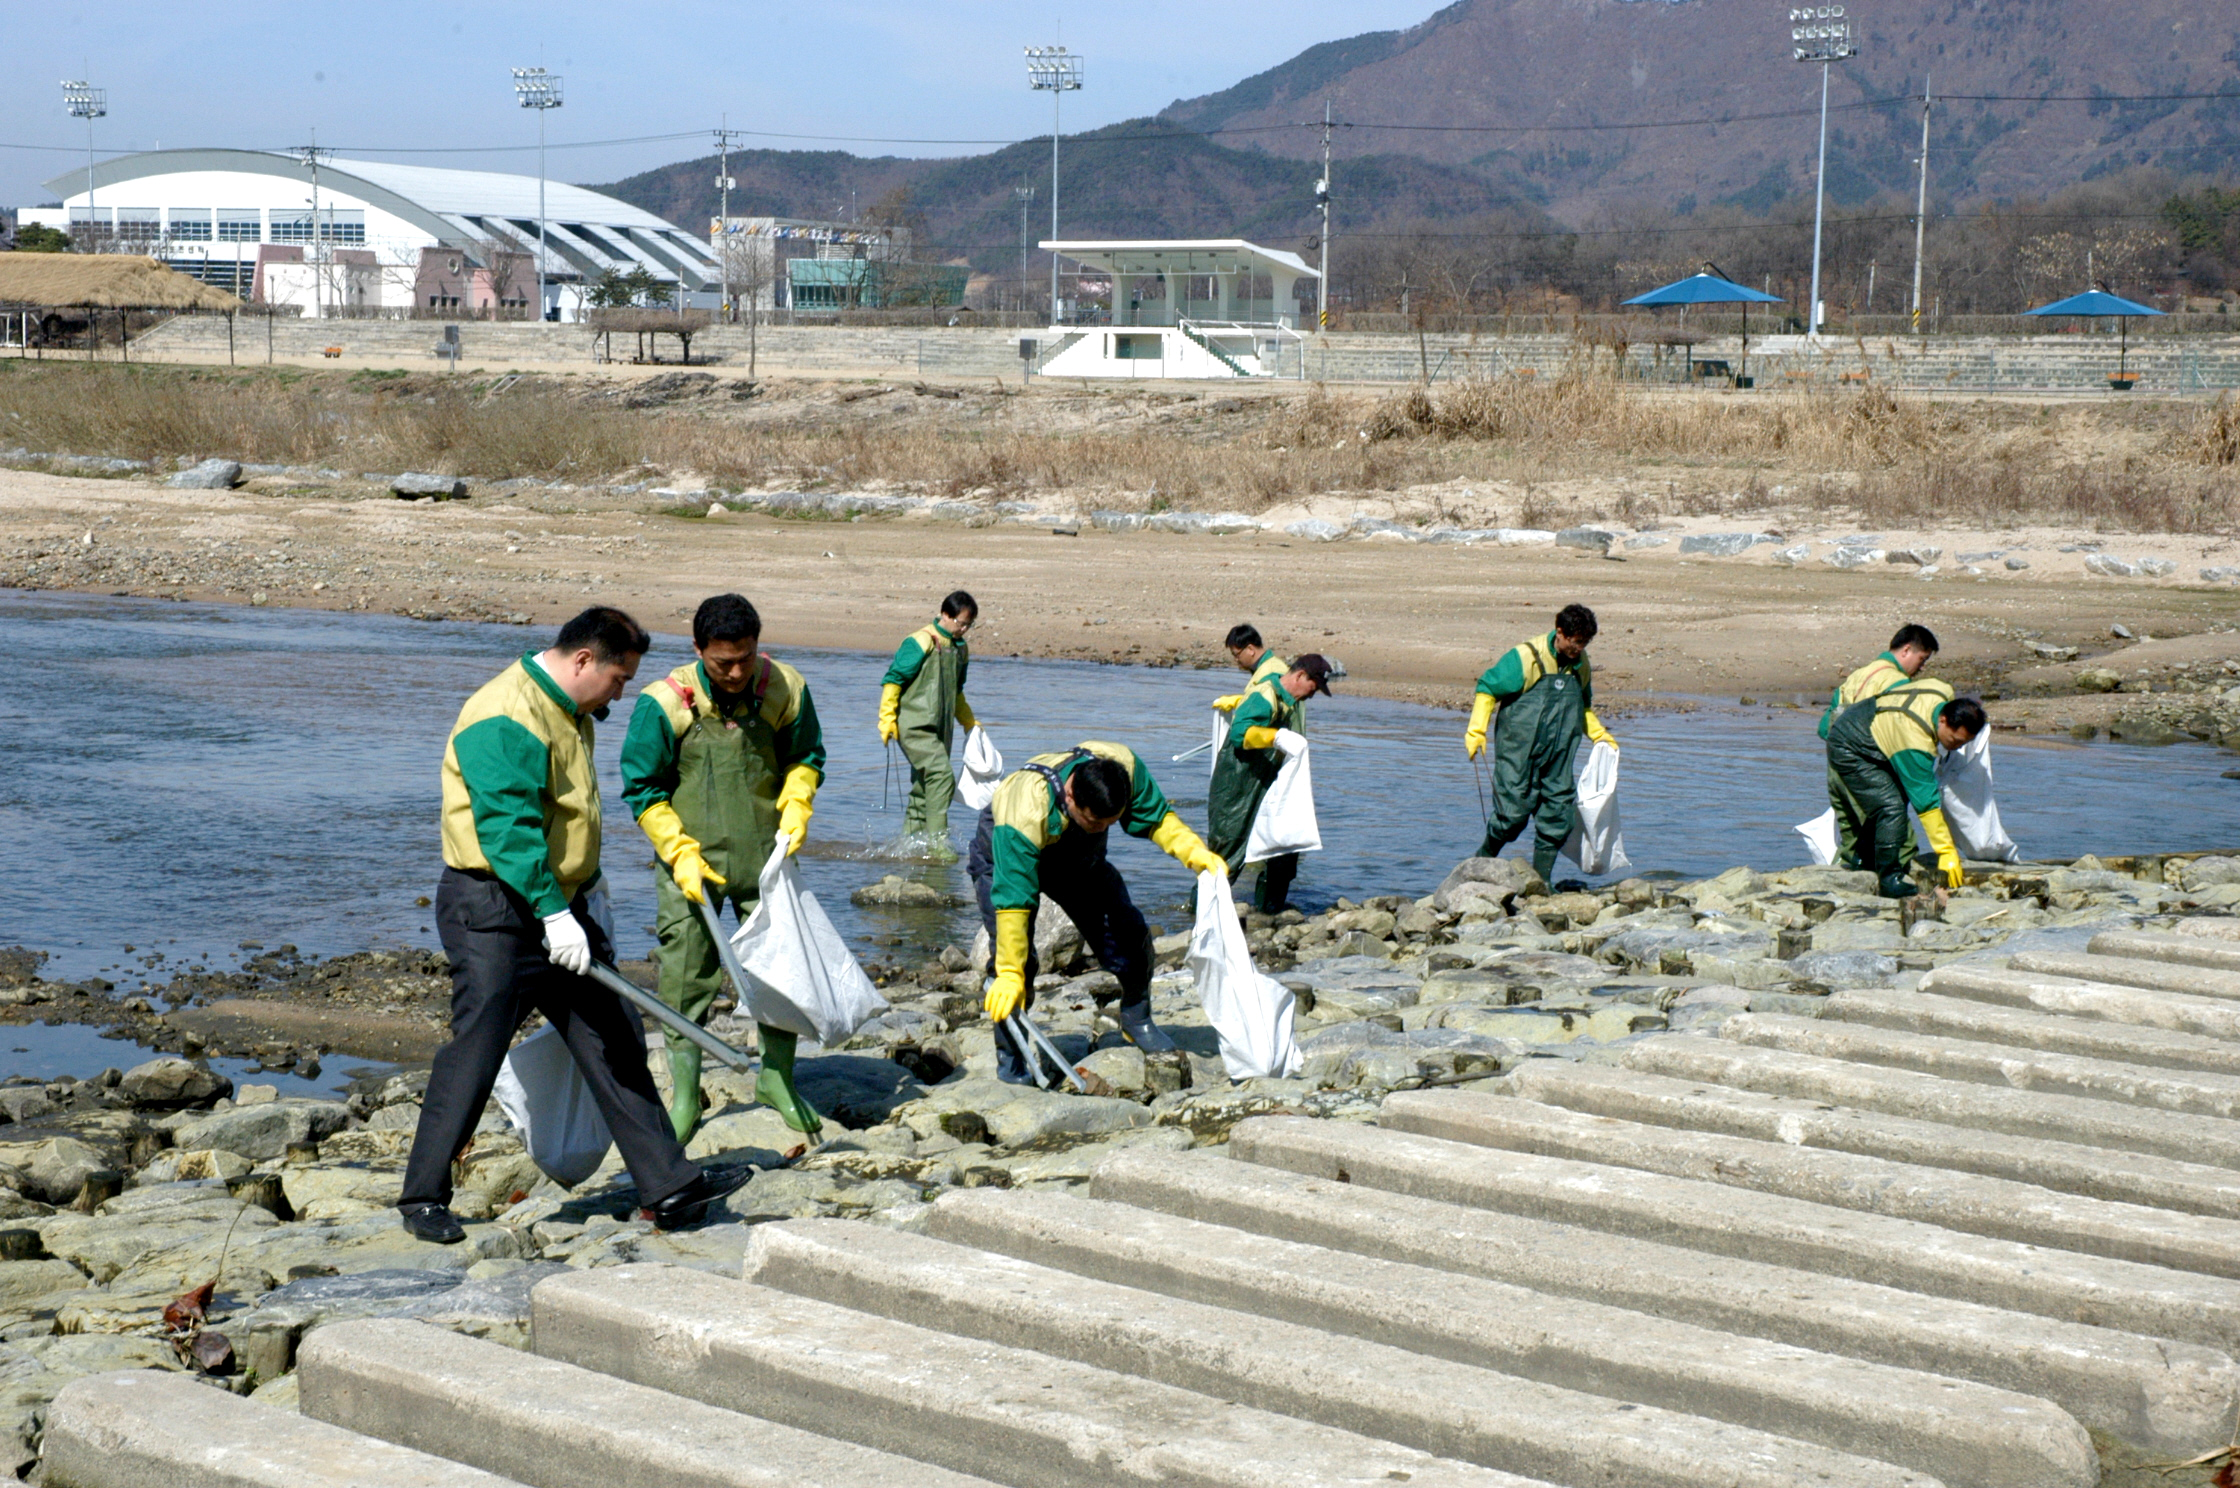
{"x":2069,"y":1169}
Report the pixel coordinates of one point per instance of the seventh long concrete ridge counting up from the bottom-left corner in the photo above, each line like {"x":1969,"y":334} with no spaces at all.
{"x":1760,"y":1227}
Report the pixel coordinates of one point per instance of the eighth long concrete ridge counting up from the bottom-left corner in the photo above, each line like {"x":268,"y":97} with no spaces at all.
{"x":1961,"y":1202}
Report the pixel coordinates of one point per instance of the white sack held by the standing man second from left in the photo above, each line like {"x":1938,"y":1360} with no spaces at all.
{"x":801,"y":974}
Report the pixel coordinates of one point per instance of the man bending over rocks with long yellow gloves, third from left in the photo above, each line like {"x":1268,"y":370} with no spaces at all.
{"x":1045,"y":835}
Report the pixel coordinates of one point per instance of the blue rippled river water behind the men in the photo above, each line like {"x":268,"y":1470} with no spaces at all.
{"x":185,"y":779}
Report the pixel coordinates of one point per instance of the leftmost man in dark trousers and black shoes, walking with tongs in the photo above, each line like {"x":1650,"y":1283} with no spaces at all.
{"x":521,"y":911}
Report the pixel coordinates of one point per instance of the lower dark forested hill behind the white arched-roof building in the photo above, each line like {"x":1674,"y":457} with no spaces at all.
{"x":1144,"y":178}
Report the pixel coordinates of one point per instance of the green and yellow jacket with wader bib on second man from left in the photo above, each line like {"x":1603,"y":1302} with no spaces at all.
{"x":722,"y":761}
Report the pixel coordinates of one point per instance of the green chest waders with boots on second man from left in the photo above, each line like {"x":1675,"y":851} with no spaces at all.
{"x":727,"y":794}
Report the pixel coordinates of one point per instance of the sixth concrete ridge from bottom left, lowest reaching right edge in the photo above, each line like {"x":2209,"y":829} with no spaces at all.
{"x":2158,"y":1395}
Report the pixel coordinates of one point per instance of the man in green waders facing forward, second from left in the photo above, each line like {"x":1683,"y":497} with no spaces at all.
{"x":722,"y":759}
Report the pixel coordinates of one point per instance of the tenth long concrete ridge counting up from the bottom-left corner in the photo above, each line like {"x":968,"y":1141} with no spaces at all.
{"x":1903,"y":1092}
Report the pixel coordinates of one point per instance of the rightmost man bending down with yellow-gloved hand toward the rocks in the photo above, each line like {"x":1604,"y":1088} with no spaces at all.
{"x":1883,"y":763}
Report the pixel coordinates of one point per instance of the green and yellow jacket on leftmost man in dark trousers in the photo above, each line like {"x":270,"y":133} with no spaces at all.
{"x":521,"y":797}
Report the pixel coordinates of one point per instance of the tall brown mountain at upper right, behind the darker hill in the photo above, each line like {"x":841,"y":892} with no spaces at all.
{"x":1531,"y":89}
